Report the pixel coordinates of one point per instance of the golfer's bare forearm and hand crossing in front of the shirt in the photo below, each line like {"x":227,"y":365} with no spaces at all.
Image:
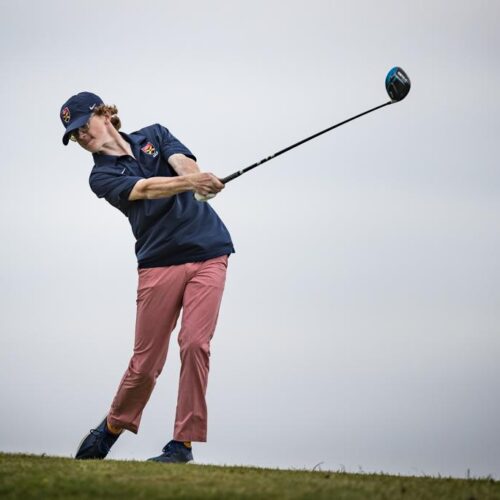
{"x":162,"y":187}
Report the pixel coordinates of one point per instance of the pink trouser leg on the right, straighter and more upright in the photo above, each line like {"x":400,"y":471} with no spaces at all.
{"x":201,"y":303}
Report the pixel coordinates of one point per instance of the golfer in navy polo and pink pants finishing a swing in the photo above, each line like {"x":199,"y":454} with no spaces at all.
{"x":182,"y":250}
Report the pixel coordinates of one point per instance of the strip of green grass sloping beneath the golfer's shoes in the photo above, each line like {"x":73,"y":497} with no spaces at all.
{"x":31,"y":476}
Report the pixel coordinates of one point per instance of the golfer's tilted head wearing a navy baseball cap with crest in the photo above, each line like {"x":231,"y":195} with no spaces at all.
{"x":89,"y":121}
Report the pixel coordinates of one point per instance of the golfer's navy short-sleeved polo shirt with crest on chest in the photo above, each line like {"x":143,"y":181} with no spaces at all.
{"x":168,"y":231}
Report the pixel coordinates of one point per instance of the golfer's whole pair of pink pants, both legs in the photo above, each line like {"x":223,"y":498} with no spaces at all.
{"x":196,"y":288}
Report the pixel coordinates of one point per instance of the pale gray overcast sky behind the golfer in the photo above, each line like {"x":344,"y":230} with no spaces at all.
{"x":360,"y":326}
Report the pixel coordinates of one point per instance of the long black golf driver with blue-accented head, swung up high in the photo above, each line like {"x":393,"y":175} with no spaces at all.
{"x":397,"y":85}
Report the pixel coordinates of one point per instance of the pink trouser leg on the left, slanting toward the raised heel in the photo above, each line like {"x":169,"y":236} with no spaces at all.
{"x":159,"y":300}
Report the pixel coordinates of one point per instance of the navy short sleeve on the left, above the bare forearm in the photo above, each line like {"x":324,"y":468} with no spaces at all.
{"x":114,"y":187}
